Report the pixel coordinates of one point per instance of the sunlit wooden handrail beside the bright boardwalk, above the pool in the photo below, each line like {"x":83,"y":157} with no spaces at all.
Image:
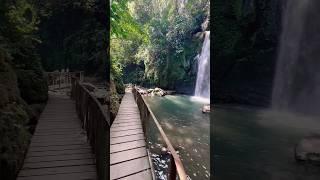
{"x":177,"y":166}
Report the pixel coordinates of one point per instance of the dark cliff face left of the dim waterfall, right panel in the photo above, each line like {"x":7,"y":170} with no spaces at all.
{"x":246,"y":34}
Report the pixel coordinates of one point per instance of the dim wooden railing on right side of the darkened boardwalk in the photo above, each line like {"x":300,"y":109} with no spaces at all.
{"x":95,"y":120}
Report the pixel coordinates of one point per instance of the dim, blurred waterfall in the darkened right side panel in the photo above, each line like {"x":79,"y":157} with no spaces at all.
{"x":297,"y":80}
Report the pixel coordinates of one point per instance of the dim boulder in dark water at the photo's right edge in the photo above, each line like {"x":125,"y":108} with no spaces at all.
{"x":308,"y":149}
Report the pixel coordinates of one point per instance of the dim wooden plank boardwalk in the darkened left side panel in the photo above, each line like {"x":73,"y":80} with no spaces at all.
{"x":59,"y":148}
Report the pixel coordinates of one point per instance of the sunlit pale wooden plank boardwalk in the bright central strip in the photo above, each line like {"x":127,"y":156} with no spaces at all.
{"x":128,"y":154}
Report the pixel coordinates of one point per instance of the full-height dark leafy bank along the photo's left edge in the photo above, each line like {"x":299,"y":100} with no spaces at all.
{"x":23,"y":89}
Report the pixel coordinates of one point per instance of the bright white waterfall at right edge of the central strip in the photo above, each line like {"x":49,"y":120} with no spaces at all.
{"x":203,"y":75}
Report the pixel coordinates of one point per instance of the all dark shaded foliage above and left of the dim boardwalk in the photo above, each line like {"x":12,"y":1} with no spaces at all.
{"x":56,"y":34}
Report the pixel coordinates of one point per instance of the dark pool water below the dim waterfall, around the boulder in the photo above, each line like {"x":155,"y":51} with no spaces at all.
{"x":255,"y":144}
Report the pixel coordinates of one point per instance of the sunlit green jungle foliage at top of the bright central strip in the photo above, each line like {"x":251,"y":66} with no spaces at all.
{"x":155,"y":42}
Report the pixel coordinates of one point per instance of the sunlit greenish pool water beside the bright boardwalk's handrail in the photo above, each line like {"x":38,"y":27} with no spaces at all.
{"x":188,"y":130}
